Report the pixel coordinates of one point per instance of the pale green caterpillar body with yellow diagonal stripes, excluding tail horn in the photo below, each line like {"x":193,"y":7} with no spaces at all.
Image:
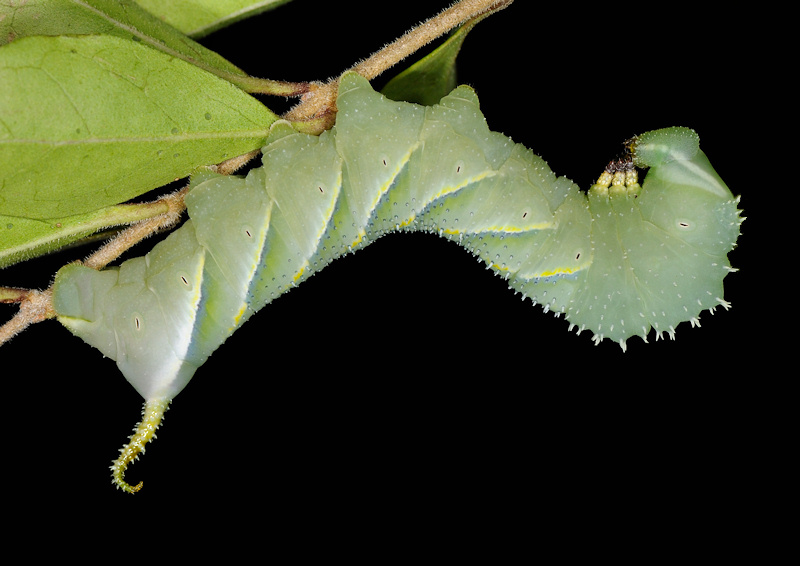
{"x":617,"y":265}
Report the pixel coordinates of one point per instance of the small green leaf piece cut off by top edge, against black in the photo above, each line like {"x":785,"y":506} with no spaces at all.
{"x":200,"y":17}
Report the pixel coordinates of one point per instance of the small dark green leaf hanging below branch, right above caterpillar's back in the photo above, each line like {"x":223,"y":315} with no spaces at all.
{"x":432,"y":77}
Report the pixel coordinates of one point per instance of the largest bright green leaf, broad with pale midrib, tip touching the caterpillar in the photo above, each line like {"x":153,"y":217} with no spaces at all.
{"x":91,"y":121}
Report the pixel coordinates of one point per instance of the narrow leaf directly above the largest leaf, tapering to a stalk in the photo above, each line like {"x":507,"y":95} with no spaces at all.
{"x":121,"y":18}
